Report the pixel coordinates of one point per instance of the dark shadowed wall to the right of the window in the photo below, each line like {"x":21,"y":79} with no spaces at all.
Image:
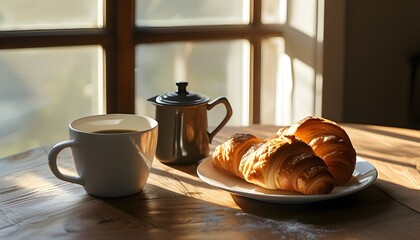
{"x":374,"y":70}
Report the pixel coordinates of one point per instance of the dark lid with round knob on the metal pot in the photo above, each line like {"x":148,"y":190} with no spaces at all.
{"x":181,"y":97}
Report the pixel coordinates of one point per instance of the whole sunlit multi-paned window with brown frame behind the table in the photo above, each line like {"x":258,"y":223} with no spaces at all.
{"x":62,"y":59}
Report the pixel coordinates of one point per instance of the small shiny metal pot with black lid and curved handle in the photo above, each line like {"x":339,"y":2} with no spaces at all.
{"x":183,"y":136}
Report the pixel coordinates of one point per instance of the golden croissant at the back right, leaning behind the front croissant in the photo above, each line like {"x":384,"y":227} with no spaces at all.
{"x":330,"y":142}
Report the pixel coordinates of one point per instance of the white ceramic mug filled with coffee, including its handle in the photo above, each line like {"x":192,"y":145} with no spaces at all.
{"x":109,"y":164}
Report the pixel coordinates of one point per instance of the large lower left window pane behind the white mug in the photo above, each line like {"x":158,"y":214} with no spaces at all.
{"x":42,"y":90}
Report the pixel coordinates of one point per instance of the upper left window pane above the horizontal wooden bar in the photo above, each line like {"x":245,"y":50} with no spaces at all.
{"x":49,"y":14}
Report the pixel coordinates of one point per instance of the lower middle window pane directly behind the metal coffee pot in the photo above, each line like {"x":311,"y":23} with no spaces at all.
{"x":211,"y":68}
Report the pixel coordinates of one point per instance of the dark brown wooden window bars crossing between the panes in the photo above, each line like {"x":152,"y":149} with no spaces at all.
{"x":119,"y":36}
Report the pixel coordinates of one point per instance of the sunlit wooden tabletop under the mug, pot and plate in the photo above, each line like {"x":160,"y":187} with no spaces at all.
{"x":176,"y":204}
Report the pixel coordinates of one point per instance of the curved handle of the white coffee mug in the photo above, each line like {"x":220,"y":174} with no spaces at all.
{"x":52,"y":162}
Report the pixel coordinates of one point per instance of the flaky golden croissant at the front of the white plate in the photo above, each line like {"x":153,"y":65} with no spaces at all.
{"x":284,"y":163}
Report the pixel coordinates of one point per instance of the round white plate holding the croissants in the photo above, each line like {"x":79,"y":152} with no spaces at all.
{"x":363,"y":176}
